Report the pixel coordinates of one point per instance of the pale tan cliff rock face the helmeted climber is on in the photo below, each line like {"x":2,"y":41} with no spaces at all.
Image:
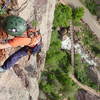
{"x":21,"y":83}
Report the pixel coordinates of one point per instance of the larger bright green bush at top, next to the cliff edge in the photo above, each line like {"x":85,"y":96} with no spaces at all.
{"x":62,"y":15}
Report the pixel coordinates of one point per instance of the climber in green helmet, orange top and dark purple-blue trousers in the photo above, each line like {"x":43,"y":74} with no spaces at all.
{"x":18,"y":28}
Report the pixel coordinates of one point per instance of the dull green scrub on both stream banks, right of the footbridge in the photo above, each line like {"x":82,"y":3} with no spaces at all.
{"x":91,"y":43}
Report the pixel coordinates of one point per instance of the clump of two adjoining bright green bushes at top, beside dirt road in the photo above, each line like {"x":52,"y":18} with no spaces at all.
{"x":63,"y":14}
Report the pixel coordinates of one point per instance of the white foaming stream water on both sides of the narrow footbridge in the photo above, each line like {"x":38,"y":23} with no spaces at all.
{"x":66,"y":44}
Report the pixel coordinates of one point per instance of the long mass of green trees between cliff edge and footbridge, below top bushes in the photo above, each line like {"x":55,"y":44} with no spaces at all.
{"x":55,"y":81}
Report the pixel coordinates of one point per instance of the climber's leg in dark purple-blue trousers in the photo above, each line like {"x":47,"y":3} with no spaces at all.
{"x":10,"y":62}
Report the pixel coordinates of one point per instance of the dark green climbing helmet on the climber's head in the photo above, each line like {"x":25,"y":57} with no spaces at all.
{"x":15,"y":25}
